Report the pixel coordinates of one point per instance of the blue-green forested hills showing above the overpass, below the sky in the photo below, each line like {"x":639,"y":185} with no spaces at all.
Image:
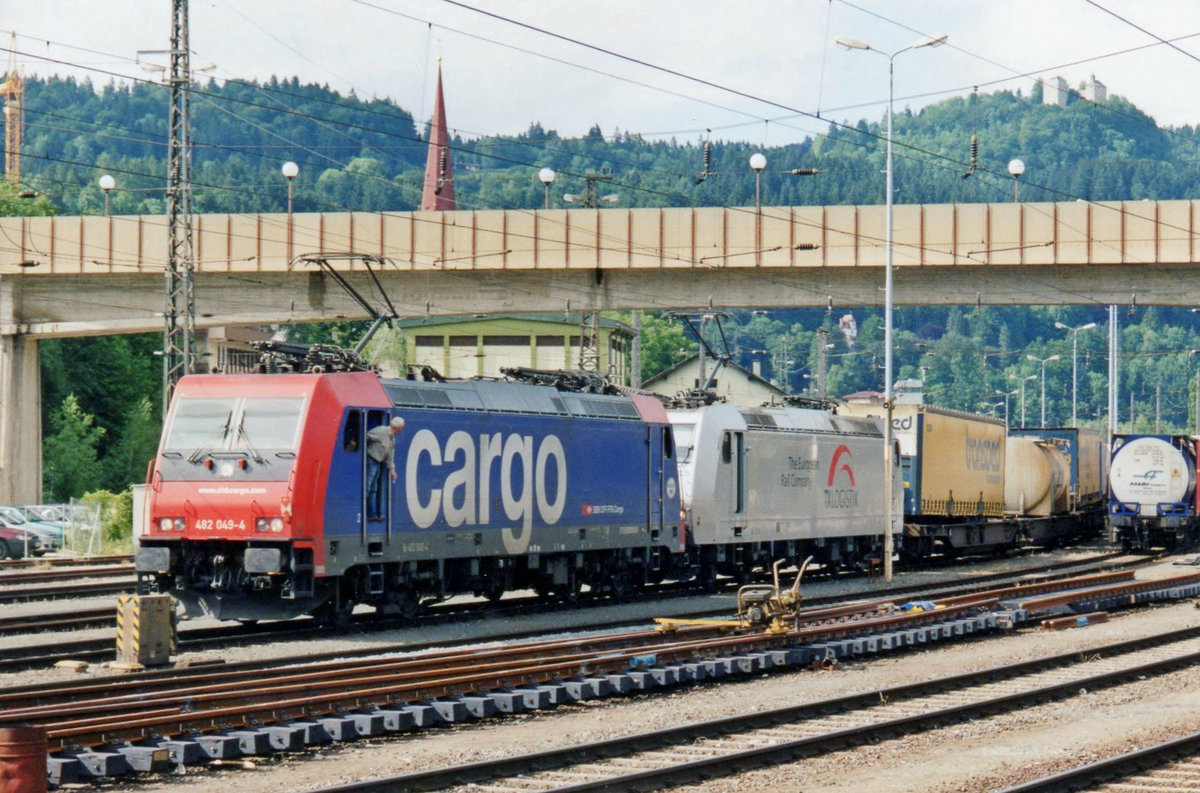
{"x":370,"y":155}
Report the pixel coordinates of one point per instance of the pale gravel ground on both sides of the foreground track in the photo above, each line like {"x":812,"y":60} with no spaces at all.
{"x":985,"y":755}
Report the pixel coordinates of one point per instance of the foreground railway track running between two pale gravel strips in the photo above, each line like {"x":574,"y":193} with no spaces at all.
{"x":695,"y":753}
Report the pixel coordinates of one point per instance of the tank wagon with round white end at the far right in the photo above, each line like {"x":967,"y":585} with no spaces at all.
{"x":1153,"y":491}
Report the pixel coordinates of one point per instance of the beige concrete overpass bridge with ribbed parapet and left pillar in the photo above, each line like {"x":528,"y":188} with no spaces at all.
{"x":80,"y":277}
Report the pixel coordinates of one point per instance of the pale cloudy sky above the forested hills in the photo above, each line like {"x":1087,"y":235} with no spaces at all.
{"x":765,"y":73}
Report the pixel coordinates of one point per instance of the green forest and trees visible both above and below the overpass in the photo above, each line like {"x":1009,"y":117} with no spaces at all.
{"x":101,"y":422}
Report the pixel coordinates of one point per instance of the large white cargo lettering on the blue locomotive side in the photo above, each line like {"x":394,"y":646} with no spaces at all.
{"x":465,"y":467}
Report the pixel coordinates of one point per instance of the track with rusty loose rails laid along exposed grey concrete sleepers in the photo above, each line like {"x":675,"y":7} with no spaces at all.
{"x":349,"y":699}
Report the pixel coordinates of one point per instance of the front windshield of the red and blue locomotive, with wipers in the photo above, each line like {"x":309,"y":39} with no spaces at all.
{"x":238,"y":424}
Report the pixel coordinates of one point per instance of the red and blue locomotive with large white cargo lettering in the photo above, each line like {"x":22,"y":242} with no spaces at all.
{"x":259,"y":494}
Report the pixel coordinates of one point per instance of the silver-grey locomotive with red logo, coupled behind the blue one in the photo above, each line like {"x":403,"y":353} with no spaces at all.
{"x":782,"y":483}
